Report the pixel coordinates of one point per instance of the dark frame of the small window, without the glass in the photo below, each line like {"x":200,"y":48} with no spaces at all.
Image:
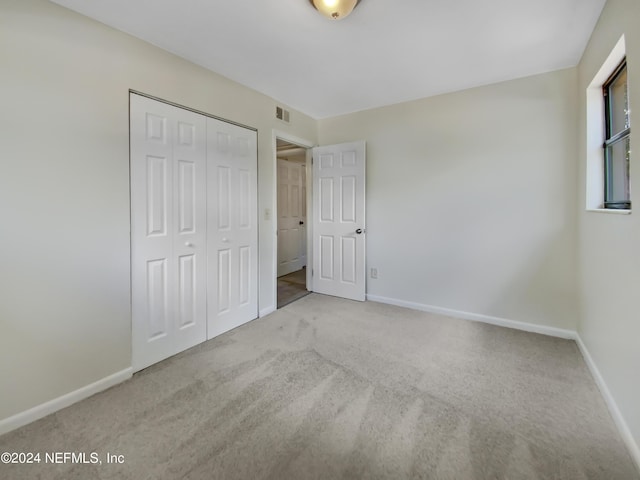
{"x":612,"y":138}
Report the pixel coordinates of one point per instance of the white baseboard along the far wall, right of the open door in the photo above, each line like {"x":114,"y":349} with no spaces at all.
{"x":476,"y":317}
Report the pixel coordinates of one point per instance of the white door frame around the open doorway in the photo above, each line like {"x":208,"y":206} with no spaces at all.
{"x":301,"y":142}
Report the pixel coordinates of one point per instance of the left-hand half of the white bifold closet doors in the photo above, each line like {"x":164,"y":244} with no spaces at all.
{"x":168,"y":228}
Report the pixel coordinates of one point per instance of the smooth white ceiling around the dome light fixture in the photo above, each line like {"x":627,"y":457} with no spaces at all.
{"x":387,"y":51}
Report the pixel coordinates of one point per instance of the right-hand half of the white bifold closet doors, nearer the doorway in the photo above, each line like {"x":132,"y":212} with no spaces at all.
{"x":232,"y":226}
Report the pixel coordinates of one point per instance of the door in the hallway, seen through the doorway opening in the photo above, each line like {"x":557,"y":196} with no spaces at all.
{"x":291,"y":217}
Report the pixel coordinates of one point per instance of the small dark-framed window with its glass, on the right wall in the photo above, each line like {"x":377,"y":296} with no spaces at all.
{"x":617,"y":145}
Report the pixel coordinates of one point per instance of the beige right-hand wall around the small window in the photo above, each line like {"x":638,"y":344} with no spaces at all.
{"x":609,"y":244}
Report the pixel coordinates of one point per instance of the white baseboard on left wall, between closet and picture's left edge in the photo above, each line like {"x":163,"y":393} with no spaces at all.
{"x":52,"y":406}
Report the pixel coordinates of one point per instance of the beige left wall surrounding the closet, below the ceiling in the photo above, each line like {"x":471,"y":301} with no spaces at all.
{"x":64,"y":190}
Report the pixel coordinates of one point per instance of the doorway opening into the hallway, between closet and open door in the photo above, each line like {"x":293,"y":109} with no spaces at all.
{"x":291,"y":215}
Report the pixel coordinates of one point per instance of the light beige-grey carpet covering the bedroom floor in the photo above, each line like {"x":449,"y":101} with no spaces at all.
{"x":332,"y":389}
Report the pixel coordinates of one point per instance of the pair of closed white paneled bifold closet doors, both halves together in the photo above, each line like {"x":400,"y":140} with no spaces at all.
{"x":193,"y":228}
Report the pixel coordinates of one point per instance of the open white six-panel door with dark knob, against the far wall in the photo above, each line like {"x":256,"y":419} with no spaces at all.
{"x":339,"y":260}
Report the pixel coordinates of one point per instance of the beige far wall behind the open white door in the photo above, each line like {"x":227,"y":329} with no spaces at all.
{"x":471,"y":198}
